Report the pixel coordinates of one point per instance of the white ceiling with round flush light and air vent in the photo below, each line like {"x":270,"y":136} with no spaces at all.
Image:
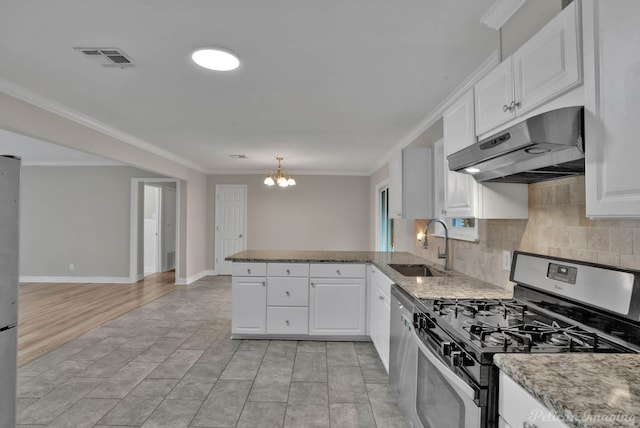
{"x":331,"y":85}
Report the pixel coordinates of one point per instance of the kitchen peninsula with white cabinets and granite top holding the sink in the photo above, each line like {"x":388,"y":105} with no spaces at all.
{"x":332,"y":294}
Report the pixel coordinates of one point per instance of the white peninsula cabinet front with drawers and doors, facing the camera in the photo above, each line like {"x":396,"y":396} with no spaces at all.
{"x":281,"y":299}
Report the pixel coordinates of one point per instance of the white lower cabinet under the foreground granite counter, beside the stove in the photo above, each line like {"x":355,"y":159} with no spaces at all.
{"x":518,"y":408}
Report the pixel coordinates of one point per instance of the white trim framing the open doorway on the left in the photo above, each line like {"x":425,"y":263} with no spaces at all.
{"x":133,"y":227}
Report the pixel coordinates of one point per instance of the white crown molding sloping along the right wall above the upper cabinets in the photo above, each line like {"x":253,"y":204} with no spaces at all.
{"x":436,"y":114}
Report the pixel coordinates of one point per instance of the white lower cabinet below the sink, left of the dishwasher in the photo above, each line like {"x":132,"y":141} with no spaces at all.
{"x":380,"y":313}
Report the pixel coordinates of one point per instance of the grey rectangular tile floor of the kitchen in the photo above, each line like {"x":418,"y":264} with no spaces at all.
{"x":171,"y":363}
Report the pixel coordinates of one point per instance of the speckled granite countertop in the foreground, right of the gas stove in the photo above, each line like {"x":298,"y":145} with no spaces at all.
{"x":583,"y":390}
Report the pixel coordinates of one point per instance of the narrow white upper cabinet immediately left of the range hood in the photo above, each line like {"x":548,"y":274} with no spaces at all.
{"x":459,"y":132}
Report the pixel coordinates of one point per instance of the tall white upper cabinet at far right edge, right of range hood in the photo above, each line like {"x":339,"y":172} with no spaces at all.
{"x":612,"y":107}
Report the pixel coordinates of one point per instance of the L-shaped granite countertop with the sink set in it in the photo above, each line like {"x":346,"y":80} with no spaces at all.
{"x":448,"y":284}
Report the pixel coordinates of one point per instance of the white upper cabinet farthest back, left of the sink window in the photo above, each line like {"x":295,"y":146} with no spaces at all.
{"x":411,"y":183}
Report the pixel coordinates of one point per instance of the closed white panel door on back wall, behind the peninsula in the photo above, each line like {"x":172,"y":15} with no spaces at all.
{"x":230,"y":234}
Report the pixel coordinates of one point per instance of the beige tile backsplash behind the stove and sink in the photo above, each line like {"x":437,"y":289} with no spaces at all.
{"x":557,"y":226}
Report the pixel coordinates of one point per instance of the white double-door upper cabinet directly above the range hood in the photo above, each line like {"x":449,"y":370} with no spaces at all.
{"x":546,"y":66}
